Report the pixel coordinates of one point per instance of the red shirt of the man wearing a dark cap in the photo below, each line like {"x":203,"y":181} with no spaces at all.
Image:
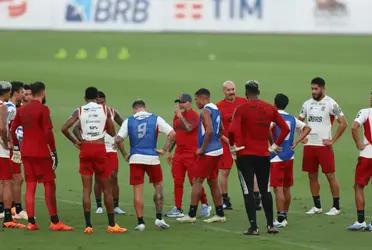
{"x":186,"y":142}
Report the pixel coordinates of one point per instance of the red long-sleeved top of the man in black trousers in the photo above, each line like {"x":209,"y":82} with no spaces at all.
{"x":251,"y":127}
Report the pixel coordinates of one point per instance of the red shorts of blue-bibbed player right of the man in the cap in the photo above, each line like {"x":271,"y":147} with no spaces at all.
{"x":207,"y":167}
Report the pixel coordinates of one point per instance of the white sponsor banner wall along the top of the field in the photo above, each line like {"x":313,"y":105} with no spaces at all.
{"x":246,"y":16}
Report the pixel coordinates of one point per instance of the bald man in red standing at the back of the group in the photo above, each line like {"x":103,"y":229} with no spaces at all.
{"x":227,"y":107}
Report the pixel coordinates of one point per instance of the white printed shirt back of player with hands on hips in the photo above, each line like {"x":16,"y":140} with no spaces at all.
{"x":93,"y":119}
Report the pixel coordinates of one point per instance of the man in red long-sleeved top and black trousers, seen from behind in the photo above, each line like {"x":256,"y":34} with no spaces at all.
{"x":250,"y":131}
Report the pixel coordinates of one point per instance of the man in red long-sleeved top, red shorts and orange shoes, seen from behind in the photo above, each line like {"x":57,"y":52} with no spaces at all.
{"x":39,"y":155}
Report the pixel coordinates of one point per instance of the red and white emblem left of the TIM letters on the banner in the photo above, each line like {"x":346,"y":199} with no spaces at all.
{"x":189,"y":9}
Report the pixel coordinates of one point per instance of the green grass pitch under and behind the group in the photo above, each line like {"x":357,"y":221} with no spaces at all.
{"x":161,"y":66}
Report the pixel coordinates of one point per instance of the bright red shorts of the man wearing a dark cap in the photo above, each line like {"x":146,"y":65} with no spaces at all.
{"x":183,"y":164}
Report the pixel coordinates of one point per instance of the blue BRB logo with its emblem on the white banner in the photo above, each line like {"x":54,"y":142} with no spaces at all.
{"x":107,"y":11}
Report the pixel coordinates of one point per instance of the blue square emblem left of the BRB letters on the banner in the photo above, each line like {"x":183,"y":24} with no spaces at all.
{"x":79,"y":10}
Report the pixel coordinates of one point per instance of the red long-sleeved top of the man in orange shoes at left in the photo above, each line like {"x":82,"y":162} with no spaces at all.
{"x":38,"y":138}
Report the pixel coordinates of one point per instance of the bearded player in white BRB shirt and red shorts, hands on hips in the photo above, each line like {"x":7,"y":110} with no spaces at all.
{"x":319,"y":113}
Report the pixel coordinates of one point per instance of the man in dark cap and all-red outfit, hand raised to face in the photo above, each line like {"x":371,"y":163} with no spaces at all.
{"x":185,"y":124}
